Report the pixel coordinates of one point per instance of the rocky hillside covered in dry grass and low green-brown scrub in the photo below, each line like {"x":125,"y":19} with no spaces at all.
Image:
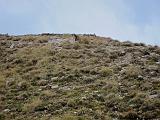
{"x":78,"y":77}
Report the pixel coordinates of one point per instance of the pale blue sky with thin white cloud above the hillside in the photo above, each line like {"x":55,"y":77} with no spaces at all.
{"x":133,"y":20}
